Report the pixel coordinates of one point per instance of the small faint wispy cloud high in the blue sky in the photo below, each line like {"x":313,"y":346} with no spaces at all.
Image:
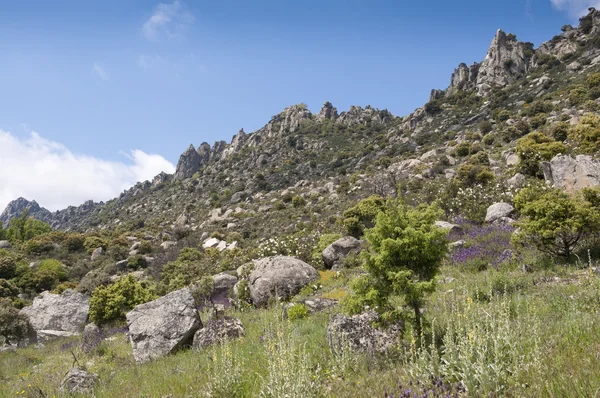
{"x":167,"y":21}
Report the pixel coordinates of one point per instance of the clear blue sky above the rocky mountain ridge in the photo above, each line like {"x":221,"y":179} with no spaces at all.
{"x":102,"y":79}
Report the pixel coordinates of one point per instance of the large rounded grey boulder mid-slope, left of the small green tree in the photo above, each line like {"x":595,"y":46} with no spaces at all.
{"x":280,"y":276}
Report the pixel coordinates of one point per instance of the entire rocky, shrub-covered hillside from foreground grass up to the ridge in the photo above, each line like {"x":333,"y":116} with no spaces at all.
{"x":507,"y":156}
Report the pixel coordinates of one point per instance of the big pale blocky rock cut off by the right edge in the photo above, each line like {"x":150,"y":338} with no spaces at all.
{"x":572,"y":174}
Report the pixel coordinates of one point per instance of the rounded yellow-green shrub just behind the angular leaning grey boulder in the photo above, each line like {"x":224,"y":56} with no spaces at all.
{"x":111,"y":303}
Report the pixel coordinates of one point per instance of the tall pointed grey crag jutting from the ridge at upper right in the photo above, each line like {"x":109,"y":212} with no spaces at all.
{"x":506,"y":60}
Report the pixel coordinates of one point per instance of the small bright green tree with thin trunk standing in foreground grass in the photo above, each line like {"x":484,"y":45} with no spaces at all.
{"x":406,"y":251}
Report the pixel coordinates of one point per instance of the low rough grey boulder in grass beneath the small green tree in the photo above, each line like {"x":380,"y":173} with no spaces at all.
{"x":358,"y":334}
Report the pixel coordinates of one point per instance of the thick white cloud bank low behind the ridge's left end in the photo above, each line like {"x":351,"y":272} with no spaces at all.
{"x":36,"y":168}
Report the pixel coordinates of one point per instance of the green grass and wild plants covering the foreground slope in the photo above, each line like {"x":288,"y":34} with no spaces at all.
{"x":553,"y":320}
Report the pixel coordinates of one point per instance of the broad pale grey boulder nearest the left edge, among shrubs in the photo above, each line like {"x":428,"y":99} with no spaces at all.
{"x":66,"y":312}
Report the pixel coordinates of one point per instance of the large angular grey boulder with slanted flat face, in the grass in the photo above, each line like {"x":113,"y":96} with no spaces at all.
{"x":164,"y":325}
